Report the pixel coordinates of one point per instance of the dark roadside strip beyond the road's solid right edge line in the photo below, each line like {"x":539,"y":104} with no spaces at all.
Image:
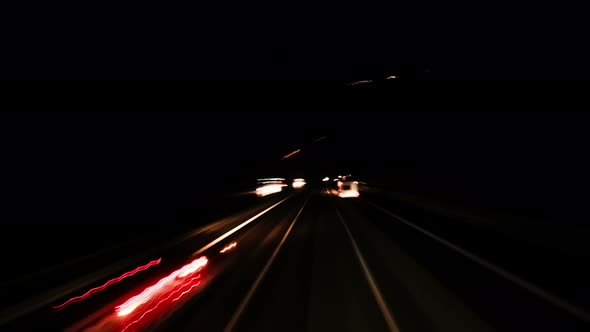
{"x":535,"y":250}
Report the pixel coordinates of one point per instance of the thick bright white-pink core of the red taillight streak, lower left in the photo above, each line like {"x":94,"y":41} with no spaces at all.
{"x":130,"y":305}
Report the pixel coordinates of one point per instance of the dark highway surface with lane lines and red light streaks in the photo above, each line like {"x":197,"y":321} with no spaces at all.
{"x":309,"y":261}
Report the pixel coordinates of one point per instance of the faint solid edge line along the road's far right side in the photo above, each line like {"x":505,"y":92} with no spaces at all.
{"x":536,"y":290}
